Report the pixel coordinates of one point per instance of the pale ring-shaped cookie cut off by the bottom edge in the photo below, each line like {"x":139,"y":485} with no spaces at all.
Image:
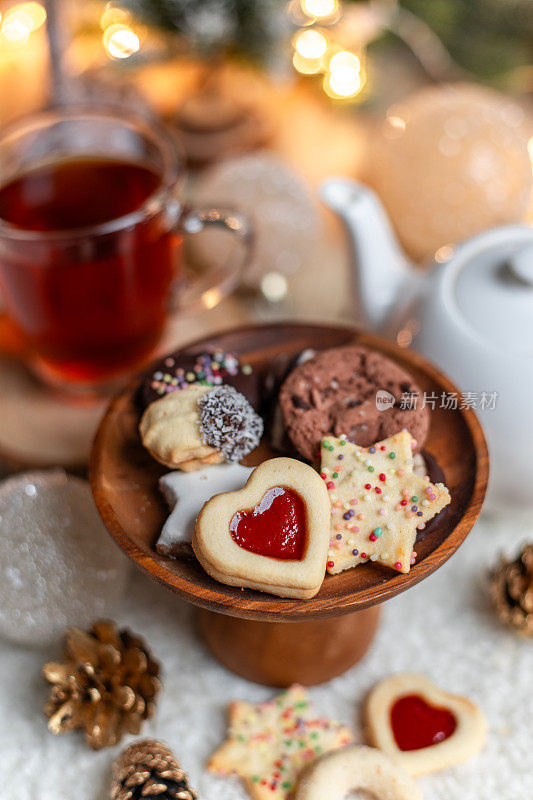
{"x":335,"y":774}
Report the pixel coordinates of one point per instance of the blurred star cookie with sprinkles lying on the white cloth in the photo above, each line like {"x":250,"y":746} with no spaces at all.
{"x":270,"y":743}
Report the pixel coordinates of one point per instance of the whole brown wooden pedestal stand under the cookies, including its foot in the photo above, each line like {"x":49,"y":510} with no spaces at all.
{"x":263,"y":638}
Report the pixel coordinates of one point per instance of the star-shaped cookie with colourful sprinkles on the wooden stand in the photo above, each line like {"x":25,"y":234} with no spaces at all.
{"x":377,"y":502}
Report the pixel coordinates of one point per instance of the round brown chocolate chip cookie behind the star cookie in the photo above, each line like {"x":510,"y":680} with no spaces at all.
{"x":336,"y":392}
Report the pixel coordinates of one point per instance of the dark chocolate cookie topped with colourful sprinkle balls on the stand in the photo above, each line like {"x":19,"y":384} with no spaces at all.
{"x":209,"y":368}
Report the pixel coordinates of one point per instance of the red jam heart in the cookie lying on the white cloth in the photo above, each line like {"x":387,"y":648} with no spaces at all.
{"x":416,"y":724}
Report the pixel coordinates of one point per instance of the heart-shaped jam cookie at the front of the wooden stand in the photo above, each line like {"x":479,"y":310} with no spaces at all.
{"x":289,"y":564}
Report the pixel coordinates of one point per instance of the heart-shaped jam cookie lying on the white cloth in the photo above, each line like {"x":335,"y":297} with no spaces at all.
{"x":456,"y":726}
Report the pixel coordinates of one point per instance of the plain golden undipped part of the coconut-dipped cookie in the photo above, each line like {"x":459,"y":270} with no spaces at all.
{"x":170,"y":430}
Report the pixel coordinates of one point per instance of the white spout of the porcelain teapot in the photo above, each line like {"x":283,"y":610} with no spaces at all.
{"x":379,"y":268}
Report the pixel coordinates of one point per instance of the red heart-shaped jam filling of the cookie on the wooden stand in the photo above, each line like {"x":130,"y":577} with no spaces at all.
{"x":275,"y":528}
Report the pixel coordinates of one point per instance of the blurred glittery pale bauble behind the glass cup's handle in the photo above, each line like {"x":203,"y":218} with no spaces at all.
{"x":285,"y":218}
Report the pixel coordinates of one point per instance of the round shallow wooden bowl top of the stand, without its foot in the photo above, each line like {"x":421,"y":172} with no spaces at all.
{"x":124,"y":482}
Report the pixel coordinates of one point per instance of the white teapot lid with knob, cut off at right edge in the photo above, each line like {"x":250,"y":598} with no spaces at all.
{"x":493,"y":287}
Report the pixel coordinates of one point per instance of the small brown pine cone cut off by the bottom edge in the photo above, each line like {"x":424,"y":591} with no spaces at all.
{"x":149,"y":769}
